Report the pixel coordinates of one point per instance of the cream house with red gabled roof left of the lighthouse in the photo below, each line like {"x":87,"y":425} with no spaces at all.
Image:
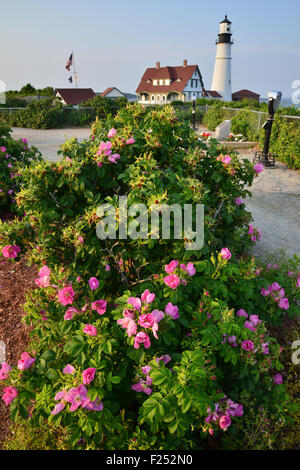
{"x":161,"y":85}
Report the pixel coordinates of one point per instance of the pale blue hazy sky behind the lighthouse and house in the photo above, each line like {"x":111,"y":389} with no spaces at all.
{"x":115,"y":41}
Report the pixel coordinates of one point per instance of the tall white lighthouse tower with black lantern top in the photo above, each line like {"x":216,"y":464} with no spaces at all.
{"x":222,"y":73}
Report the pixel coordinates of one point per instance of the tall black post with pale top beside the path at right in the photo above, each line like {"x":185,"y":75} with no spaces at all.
{"x":274,"y":98}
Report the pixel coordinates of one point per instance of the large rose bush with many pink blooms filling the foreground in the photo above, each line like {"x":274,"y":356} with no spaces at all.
{"x":142,"y":344}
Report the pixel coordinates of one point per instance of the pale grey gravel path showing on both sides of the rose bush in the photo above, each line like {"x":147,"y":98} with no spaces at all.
{"x":275,"y":202}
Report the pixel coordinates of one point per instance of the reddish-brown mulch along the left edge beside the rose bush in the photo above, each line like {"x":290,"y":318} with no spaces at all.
{"x":15,"y":279}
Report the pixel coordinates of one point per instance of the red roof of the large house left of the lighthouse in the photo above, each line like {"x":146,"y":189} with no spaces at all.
{"x":173,"y":73}
